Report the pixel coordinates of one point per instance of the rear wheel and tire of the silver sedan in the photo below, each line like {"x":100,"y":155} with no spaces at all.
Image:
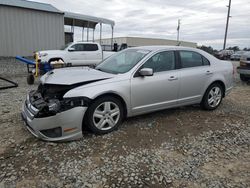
{"x":212,"y":97}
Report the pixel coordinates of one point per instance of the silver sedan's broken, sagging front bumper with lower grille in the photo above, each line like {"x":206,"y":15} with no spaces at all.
{"x":63,"y":126}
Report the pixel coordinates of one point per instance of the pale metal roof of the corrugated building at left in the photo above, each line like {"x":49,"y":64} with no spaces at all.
{"x":30,"y":5}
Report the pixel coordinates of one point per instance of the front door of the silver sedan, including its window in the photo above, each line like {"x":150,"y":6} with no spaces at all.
{"x":159,"y":91}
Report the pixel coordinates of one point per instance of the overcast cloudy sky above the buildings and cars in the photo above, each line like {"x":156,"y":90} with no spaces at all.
{"x":202,"y":21}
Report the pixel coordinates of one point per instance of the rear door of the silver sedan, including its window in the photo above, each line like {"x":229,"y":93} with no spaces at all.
{"x":194,"y":74}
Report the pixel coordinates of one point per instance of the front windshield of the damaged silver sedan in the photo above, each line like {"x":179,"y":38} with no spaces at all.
{"x":123,"y":61}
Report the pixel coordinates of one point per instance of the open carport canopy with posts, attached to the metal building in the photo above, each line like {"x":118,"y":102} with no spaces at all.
{"x":86,"y":21}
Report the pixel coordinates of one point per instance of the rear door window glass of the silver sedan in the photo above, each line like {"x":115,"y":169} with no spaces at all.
{"x":190,"y":59}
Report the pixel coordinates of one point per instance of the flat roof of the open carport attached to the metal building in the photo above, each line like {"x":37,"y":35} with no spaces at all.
{"x":93,"y":19}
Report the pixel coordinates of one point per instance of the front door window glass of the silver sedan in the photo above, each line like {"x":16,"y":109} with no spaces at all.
{"x":162,"y":61}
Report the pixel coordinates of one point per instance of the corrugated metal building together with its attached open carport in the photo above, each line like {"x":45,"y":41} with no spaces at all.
{"x":27,"y":26}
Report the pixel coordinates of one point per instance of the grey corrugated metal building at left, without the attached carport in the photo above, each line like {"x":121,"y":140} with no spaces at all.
{"x":29,"y":26}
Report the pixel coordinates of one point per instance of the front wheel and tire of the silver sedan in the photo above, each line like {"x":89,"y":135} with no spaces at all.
{"x":99,"y":118}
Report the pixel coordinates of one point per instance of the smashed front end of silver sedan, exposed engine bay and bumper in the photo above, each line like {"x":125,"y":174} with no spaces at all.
{"x":51,"y":117}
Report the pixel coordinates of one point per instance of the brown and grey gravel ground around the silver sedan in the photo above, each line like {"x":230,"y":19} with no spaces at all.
{"x":181,"y":147}
